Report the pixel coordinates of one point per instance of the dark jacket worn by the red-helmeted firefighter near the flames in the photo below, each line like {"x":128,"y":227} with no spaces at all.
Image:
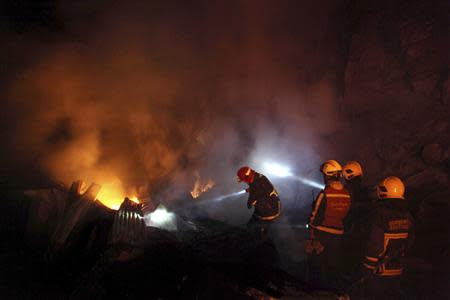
{"x":264,"y":197}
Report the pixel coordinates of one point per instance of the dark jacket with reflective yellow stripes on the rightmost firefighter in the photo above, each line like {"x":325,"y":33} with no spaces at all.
{"x":391,"y":234}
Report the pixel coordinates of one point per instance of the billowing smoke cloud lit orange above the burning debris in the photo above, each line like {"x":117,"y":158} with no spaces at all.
{"x":143,"y":96}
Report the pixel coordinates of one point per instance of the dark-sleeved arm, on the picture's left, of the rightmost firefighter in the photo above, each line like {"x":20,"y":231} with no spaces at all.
{"x":375,"y":246}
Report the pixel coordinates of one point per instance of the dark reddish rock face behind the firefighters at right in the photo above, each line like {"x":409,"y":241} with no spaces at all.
{"x":396,"y":101}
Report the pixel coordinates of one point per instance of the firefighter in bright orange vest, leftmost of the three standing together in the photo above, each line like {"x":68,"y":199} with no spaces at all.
{"x":326,"y":228}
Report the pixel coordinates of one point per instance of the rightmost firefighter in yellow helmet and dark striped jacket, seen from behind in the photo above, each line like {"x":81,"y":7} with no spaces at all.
{"x":391,"y":235}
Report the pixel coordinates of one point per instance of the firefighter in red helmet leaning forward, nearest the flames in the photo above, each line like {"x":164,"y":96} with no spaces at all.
{"x":263,"y":197}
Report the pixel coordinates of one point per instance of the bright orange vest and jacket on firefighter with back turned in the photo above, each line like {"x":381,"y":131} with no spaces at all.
{"x":330,"y":208}
